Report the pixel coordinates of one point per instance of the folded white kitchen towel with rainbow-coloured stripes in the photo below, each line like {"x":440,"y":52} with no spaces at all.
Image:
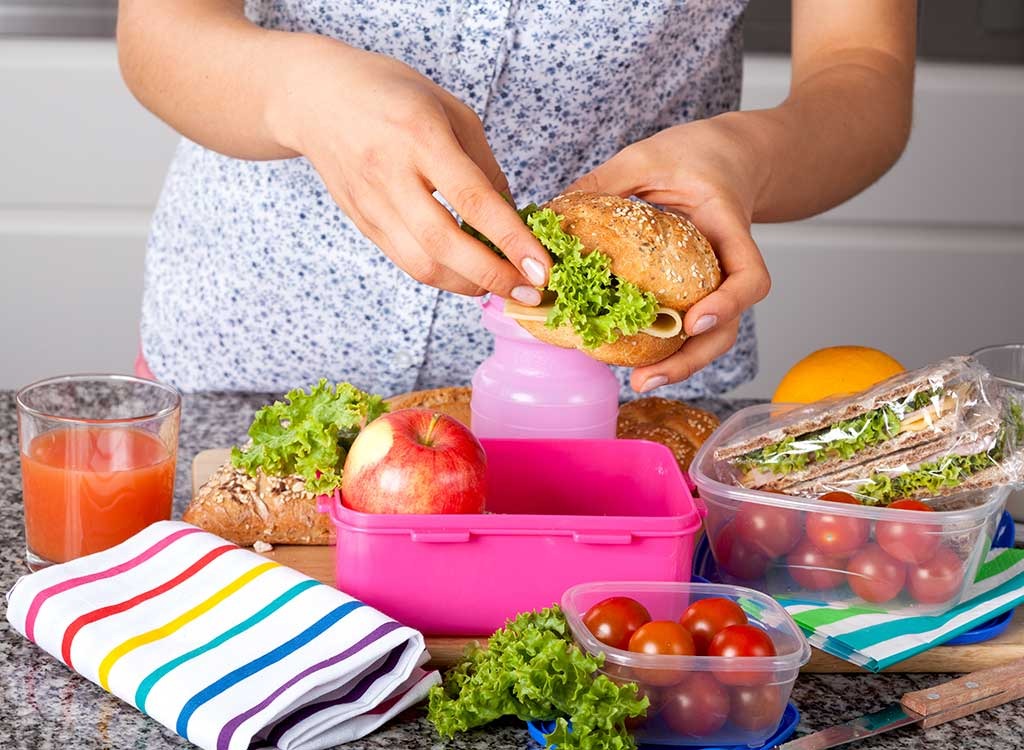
{"x":221,"y":645}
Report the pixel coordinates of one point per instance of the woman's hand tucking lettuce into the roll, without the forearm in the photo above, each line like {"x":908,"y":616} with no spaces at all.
{"x":383,"y":139}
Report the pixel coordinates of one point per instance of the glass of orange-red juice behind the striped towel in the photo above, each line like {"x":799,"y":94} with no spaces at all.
{"x":99,"y":455}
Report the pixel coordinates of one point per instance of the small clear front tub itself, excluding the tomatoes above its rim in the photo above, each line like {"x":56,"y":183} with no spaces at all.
{"x":699,"y":700}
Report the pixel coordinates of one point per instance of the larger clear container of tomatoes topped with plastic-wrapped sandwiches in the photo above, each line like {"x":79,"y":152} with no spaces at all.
{"x":775,"y":532}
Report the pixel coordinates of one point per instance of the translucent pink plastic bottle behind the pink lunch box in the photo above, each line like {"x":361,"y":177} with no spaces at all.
{"x":528,"y":389}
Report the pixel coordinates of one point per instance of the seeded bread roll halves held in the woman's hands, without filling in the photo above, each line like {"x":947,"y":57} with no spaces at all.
{"x":660,"y":253}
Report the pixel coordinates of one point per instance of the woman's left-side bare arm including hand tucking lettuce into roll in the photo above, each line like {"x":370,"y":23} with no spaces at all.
{"x":382,"y":137}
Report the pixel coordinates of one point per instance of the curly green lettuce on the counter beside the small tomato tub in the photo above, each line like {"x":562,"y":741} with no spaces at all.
{"x":532,"y":670}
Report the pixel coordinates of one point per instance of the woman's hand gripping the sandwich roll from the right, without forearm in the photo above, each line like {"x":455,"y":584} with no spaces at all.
{"x":708,"y":172}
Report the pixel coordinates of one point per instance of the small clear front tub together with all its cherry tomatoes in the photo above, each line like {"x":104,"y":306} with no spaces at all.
{"x":717,"y":662}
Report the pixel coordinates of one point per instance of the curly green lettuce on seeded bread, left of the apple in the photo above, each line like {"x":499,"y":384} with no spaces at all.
{"x":309,"y":435}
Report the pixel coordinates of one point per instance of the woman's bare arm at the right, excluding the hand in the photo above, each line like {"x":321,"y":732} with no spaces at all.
{"x":847,"y":118}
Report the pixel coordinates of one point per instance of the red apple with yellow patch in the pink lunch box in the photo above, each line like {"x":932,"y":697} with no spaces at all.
{"x":415,"y":462}
